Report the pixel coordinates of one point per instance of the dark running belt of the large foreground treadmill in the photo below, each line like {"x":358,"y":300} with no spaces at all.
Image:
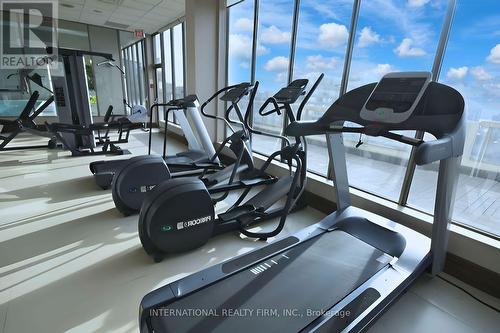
{"x":281,"y":294}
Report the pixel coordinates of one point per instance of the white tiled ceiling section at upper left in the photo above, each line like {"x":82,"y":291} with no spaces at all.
{"x":149,"y":15}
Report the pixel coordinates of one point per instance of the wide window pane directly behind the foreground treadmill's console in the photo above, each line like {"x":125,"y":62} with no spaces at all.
{"x":390,"y":36}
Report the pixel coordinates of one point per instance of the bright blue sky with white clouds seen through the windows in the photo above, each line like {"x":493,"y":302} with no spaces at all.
{"x":391,"y":35}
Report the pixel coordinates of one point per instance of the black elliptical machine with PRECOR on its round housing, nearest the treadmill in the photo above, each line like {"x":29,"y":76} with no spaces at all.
{"x":179,"y":215}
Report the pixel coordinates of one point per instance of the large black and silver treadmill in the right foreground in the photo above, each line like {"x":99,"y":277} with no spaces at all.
{"x":340,"y":274}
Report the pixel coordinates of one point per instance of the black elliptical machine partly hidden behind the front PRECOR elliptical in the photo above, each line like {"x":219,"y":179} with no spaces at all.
{"x":132,"y":182}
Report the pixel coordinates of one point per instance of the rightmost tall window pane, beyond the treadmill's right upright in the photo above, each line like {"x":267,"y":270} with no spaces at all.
{"x":475,"y":72}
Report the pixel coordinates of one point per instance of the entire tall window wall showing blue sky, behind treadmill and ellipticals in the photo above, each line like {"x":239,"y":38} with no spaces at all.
{"x":388,"y":36}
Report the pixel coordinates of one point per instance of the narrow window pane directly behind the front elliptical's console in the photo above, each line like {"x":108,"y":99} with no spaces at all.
{"x":271,"y":68}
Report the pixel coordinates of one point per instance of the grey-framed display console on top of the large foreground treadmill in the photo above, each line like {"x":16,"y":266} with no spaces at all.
{"x":395,"y":97}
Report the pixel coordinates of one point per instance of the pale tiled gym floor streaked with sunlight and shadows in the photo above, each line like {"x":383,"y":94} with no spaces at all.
{"x":69,"y":262}
